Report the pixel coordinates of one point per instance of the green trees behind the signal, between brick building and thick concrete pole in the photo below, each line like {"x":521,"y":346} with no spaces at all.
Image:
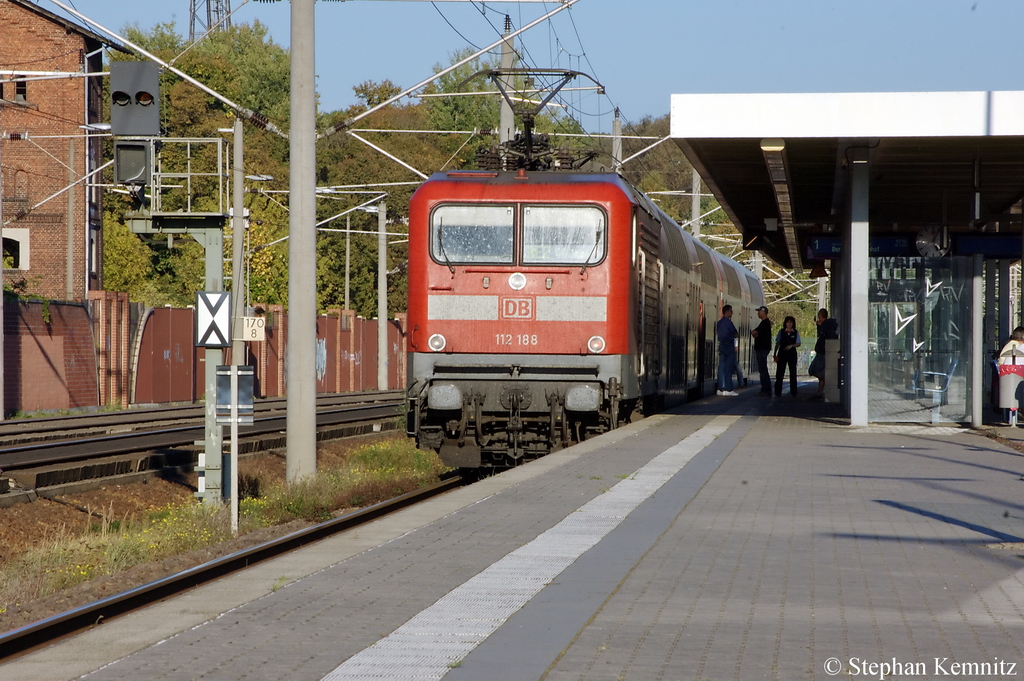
{"x":247,"y":67}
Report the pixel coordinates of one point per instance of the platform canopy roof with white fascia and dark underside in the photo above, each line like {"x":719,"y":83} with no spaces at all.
{"x":948,"y":159}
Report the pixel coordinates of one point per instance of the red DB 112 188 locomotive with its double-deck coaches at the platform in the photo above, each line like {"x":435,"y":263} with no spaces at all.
{"x":546,"y":308}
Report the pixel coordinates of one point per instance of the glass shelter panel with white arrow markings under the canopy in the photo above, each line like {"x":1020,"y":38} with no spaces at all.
{"x":919,"y":339}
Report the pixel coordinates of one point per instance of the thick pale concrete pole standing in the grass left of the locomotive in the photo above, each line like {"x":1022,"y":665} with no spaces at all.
{"x":302,"y":359}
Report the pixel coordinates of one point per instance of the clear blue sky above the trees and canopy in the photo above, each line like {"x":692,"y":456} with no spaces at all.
{"x":646,"y":51}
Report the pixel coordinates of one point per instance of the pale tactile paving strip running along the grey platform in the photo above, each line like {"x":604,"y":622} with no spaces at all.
{"x":437,"y":640}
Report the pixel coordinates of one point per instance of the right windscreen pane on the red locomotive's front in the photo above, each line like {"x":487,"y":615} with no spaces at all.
{"x":564,"y":235}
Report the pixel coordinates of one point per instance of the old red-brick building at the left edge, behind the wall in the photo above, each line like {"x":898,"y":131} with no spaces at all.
{"x":55,"y":247}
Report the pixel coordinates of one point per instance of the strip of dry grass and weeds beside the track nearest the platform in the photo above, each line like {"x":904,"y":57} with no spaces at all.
{"x":358,"y":478}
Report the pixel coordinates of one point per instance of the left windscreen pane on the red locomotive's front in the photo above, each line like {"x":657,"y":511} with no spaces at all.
{"x":473,"y":234}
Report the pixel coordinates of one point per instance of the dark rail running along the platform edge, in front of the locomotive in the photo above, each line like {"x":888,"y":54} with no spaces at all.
{"x":51,"y":630}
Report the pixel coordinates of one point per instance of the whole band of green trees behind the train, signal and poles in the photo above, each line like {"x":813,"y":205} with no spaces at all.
{"x":247,"y":67}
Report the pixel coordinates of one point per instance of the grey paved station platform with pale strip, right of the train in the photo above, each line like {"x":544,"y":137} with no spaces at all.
{"x":735,"y":538}
